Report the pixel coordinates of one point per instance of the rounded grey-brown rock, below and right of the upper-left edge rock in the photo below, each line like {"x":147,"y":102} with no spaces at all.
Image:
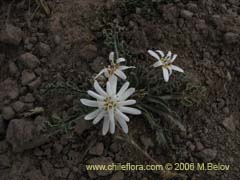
{"x":29,"y":60}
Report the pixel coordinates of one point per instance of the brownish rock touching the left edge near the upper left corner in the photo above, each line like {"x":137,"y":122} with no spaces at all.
{"x":11,"y":35}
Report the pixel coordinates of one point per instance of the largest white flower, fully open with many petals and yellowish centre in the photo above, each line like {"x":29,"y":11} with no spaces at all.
{"x":111,"y":106}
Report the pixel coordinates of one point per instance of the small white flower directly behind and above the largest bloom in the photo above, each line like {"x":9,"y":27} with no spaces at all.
{"x":114,"y":69}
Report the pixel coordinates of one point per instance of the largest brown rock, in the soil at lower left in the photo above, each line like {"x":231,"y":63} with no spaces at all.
{"x":23,"y":134}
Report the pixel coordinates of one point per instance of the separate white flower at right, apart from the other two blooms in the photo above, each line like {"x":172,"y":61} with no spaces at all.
{"x":165,"y":62}
